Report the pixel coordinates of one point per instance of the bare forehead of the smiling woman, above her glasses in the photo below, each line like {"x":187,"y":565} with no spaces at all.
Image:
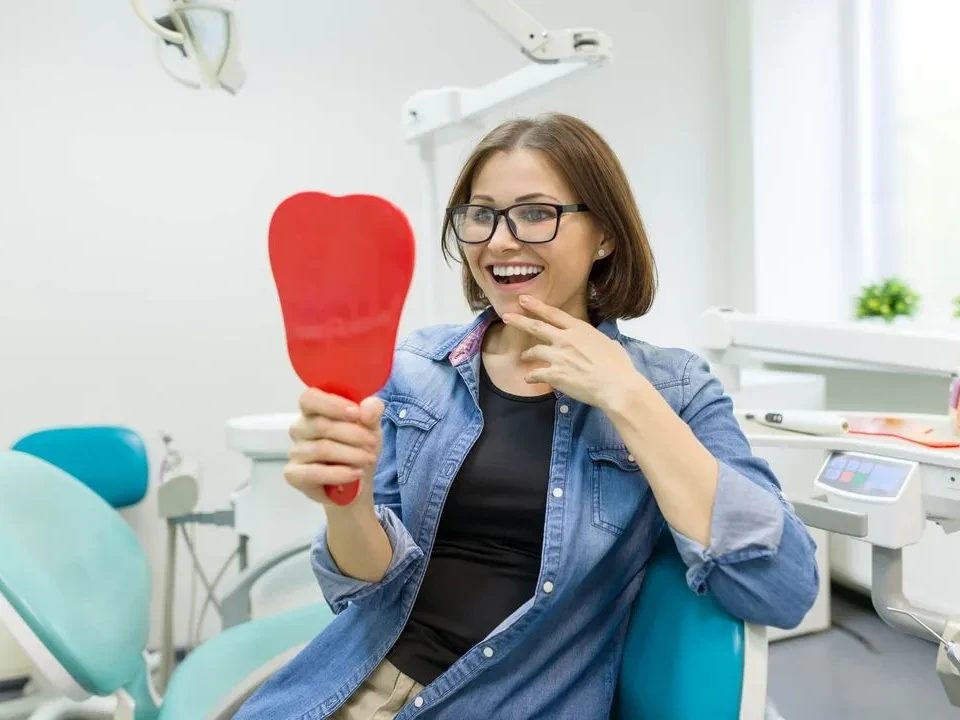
{"x":506,"y":176}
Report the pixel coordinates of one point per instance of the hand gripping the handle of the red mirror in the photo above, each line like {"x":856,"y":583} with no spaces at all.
{"x":335,"y":441}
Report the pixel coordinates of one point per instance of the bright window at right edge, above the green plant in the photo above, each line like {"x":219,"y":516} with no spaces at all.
{"x":908,"y":125}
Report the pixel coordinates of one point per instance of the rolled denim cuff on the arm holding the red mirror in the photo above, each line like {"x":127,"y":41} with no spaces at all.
{"x":339,"y":589}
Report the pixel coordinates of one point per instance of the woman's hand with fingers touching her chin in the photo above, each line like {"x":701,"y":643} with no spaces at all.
{"x":575,"y":358}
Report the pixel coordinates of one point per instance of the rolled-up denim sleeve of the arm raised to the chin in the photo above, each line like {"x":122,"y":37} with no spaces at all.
{"x":761,"y":561}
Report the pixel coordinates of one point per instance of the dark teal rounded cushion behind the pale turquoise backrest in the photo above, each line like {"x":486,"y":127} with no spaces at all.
{"x":110,"y":460}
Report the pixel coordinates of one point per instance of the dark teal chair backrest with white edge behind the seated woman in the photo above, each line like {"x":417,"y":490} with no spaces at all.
{"x":685,"y":657}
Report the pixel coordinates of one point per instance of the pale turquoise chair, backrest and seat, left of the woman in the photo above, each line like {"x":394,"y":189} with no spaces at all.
{"x":75,"y":593}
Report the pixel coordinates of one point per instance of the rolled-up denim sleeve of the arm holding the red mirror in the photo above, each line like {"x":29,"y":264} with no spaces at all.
{"x":338,"y":589}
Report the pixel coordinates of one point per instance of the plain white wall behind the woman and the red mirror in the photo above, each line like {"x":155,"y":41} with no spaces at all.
{"x":134,"y":285}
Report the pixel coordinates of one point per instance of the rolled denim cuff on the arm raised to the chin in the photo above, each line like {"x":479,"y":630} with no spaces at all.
{"x":747,"y":524}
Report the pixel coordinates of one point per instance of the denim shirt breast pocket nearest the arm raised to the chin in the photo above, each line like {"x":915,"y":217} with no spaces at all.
{"x":618,"y":488}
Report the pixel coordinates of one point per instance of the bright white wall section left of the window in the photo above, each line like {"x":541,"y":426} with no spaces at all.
{"x":789,"y":194}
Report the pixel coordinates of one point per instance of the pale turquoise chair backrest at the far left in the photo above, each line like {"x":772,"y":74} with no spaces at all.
{"x":74,"y":574}
